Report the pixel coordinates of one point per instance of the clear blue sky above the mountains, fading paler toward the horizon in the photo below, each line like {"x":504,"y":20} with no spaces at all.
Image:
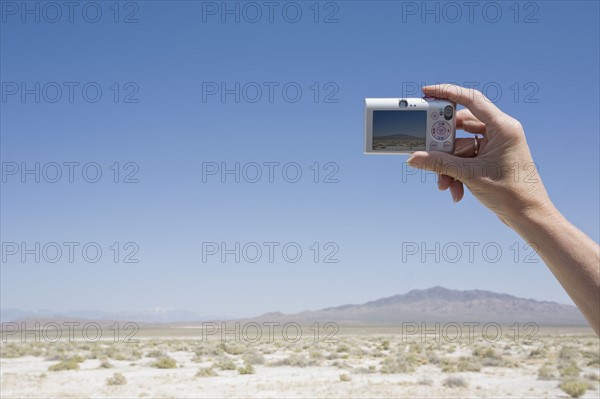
{"x":175,"y":66}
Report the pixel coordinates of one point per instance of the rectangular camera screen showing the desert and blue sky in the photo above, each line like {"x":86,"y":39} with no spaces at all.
{"x":399,"y":130}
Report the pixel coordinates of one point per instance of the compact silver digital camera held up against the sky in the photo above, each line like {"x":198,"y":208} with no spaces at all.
{"x":406,"y":125}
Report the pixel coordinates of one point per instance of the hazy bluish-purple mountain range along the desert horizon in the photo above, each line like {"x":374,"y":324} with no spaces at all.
{"x":428,"y":305}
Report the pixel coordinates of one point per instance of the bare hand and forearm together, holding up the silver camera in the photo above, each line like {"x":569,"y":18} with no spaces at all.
{"x":503,"y":177}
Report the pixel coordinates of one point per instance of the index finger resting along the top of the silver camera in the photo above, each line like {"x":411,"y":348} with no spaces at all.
{"x":480,"y":106}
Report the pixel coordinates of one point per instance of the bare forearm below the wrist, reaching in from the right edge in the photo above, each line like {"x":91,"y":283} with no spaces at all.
{"x":571,"y":255}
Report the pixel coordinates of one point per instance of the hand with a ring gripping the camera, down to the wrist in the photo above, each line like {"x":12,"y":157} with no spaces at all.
{"x":500,"y":172}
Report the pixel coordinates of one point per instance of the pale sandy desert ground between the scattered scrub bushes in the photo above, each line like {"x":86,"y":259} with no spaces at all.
{"x":29,"y":375}
